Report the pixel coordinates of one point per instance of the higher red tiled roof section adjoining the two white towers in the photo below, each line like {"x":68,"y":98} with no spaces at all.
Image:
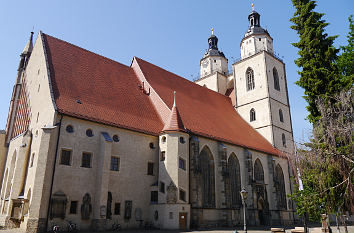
{"x":205,"y":112}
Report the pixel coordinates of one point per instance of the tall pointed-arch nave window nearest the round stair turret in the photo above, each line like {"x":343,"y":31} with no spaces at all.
{"x":208,"y":178}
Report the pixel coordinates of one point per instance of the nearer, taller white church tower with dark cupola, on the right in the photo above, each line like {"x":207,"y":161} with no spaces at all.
{"x":261,"y":87}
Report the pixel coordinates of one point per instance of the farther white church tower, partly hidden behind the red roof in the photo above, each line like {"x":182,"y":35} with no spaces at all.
{"x":214,"y":68}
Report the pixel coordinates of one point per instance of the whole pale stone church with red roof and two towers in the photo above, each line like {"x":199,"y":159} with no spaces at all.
{"x":95,"y":142}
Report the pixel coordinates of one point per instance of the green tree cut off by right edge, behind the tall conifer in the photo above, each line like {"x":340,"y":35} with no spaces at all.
{"x":346,"y":59}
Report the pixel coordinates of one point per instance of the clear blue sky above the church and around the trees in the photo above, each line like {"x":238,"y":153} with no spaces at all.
{"x":170,"y":34}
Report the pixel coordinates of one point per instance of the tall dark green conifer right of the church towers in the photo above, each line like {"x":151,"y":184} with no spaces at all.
{"x":319,"y":75}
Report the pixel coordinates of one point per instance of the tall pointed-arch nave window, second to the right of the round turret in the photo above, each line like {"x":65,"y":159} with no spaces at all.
{"x":235,"y":180}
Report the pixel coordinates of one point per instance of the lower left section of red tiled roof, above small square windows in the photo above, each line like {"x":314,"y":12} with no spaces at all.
{"x":108,"y":91}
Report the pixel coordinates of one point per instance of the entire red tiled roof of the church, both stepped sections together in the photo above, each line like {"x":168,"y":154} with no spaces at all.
{"x":92,"y":87}
